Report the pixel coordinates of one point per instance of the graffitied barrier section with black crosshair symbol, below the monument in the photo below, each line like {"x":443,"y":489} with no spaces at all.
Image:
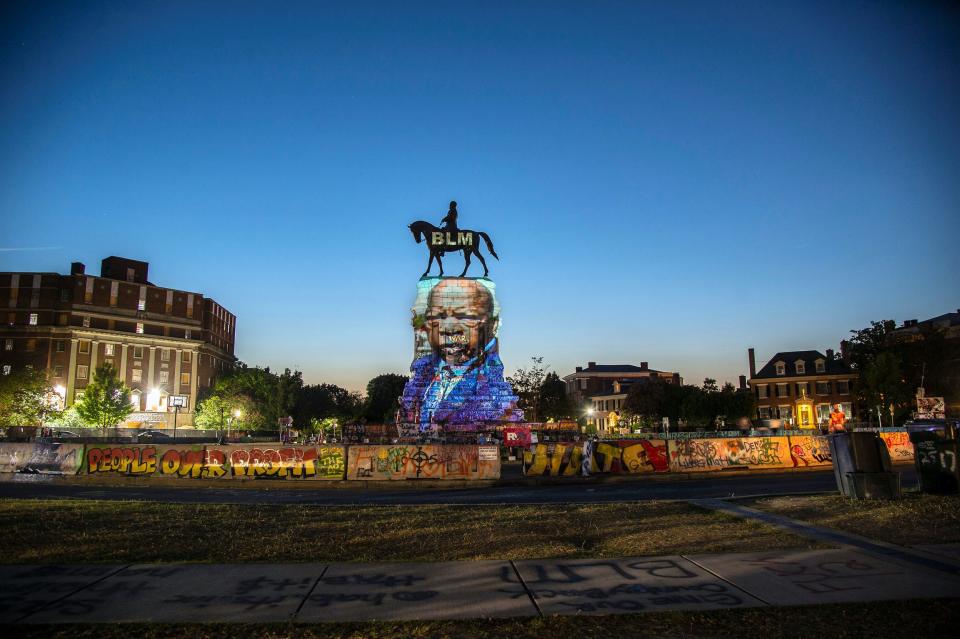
{"x":413,"y":461}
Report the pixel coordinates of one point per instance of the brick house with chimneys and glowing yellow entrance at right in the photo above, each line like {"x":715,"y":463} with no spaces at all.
{"x":792,"y":378}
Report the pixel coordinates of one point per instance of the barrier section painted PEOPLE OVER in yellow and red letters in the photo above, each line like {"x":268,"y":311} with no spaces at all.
{"x":215,"y":462}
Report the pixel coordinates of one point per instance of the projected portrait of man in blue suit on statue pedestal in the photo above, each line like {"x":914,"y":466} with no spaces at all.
{"x":460,"y":382}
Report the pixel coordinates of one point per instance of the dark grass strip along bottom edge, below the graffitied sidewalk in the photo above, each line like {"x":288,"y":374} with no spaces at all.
{"x":878,"y":620}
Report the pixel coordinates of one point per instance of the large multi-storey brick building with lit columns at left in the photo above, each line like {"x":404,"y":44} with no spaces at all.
{"x":163,"y":341}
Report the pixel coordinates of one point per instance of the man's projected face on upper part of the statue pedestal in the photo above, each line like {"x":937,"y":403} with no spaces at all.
{"x":459,"y":320}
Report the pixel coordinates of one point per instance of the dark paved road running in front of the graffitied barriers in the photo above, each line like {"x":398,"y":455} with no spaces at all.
{"x":713,"y":486}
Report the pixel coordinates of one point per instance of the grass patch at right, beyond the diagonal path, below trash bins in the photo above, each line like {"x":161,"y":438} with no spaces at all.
{"x":915,"y":519}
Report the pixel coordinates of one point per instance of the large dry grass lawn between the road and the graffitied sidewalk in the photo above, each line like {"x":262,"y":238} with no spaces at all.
{"x":81,"y":531}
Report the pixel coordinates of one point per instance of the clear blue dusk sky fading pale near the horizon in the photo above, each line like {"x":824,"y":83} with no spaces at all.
{"x":665,"y":182}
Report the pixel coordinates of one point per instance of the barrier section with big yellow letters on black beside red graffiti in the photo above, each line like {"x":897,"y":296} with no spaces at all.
{"x":629,"y":456}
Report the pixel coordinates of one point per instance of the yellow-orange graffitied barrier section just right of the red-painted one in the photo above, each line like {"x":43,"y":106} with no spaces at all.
{"x":699,"y":455}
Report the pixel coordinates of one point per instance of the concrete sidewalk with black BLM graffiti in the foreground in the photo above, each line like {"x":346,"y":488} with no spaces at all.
{"x":311,"y":593}
